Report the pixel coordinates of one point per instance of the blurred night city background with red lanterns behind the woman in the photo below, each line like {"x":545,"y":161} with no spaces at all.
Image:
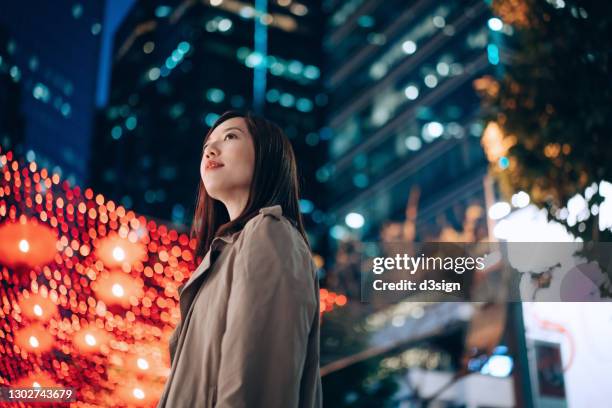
{"x":459,"y":121}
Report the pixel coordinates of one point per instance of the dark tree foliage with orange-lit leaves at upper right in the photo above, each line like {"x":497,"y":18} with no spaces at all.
{"x":551,"y":113}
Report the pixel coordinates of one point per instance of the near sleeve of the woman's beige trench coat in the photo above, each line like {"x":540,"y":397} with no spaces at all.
{"x":271,"y":310}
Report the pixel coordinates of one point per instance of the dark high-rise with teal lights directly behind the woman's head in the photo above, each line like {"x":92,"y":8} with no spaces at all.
{"x":176,"y":67}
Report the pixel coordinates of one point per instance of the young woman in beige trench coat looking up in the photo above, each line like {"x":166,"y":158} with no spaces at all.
{"x":249,"y":330}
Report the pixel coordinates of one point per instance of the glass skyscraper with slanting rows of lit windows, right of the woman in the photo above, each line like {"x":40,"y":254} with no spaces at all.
{"x":403,"y":113}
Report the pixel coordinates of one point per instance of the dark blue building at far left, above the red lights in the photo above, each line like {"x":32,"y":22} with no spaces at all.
{"x":51,"y":50}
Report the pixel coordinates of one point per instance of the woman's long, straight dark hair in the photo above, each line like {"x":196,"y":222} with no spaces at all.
{"x":275,"y":181}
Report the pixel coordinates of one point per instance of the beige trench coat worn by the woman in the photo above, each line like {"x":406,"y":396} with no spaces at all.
{"x":249,"y":330}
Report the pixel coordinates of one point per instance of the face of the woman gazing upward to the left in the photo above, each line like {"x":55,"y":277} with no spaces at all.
{"x":228,"y":162}
